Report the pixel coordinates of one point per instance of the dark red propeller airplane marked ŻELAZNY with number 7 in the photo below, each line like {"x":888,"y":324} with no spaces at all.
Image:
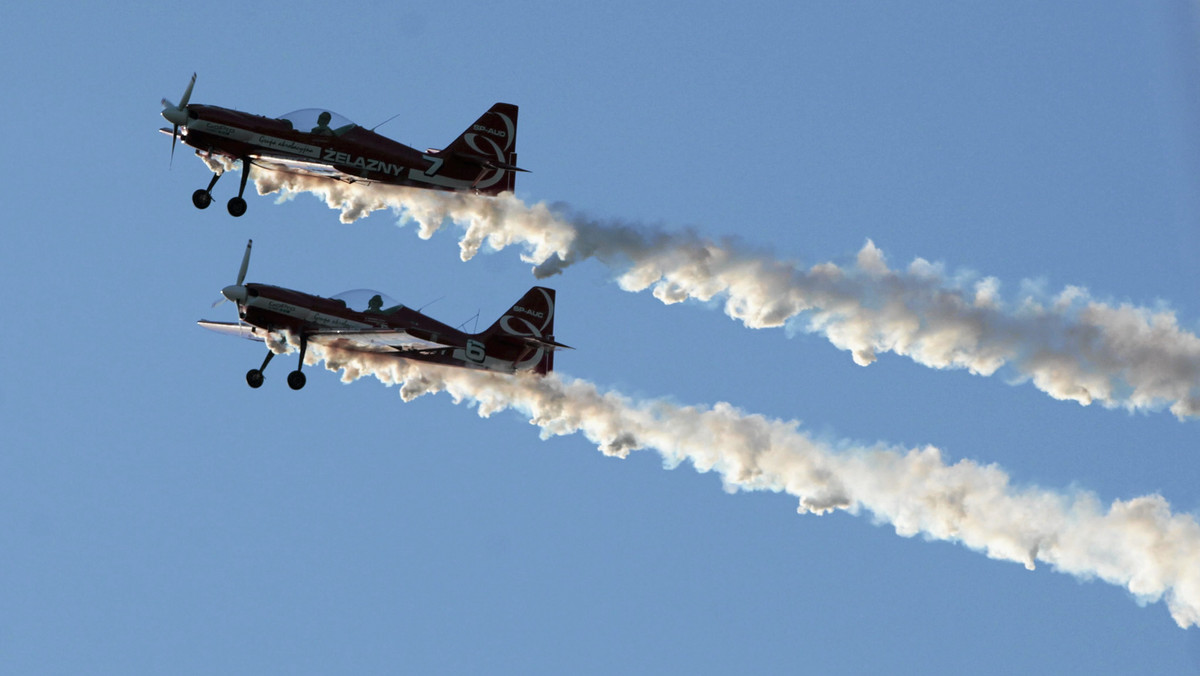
{"x":320,"y":143}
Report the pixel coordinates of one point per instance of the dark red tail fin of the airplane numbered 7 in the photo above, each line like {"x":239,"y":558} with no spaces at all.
{"x":491,"y":146}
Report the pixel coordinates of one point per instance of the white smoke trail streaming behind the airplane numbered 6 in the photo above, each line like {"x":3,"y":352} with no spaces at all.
{"x":1138,"y":545}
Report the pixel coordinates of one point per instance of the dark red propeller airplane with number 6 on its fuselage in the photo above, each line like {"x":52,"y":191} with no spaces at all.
{"x":367,"y":321}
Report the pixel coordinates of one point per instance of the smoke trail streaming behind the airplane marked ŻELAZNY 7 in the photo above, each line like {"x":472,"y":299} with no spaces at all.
{"x":1070,"y":345}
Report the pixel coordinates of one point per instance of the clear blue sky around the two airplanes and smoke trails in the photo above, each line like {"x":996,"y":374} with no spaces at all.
{"x":159,"y":516}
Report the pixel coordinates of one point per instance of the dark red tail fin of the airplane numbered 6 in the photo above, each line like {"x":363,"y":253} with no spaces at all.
{"x":525,"y":336}
